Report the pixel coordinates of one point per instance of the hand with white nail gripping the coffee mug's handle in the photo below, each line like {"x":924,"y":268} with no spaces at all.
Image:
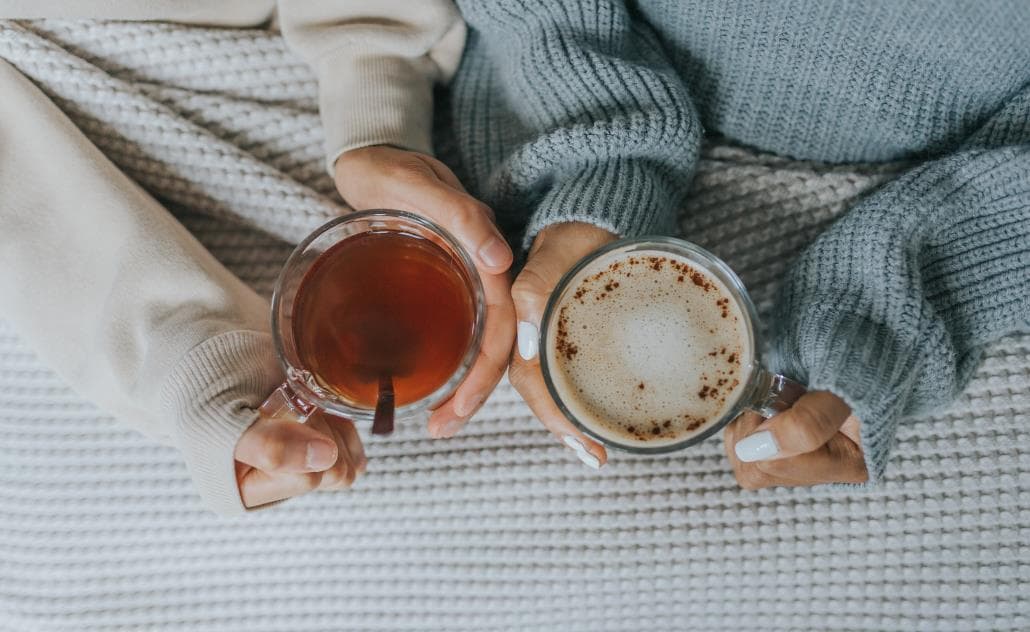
{"x":816,"y":441}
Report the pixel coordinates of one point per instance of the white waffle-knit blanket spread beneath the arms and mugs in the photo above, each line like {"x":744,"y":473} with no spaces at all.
{"x":500,"y":529}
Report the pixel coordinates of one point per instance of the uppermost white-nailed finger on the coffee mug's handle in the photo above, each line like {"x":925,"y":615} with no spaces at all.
{"x":806,"y":427}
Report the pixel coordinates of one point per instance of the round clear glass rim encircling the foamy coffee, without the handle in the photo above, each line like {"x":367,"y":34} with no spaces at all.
{"x":740,"y":294}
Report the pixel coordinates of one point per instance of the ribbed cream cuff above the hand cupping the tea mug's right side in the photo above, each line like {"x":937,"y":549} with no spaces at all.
{"x":374,"y":101}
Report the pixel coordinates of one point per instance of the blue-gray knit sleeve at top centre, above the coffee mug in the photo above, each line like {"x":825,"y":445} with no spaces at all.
{"x":606,"y":133}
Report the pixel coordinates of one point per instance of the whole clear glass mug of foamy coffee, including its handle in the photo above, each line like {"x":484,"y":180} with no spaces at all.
{"x":649,"y":345}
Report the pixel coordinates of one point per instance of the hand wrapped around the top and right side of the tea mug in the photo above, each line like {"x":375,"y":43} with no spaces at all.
{"x":391,"y":179}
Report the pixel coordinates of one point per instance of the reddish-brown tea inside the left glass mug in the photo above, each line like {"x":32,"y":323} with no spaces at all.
{"x":384,"y":304}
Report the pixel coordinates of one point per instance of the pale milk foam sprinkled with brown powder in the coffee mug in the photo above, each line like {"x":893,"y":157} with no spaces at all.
{"x":647,"y":350}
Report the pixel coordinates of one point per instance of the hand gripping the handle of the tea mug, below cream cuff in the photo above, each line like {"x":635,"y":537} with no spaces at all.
{"x":279,"y":458}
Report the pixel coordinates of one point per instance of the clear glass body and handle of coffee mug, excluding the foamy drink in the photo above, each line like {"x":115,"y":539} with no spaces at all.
{"x":765,"y":393}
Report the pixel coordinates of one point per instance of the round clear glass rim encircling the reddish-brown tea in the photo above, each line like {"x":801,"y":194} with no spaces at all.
{"x":337,"y":406}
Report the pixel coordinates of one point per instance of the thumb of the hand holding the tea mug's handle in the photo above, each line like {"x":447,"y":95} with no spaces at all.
{"x":286,"y":446}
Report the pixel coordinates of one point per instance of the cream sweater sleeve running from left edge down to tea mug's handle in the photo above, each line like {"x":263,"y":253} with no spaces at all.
{"x":120,"y":299}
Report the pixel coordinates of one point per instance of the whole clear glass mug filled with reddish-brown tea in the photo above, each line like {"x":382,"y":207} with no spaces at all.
{"x":375,"y":309}
